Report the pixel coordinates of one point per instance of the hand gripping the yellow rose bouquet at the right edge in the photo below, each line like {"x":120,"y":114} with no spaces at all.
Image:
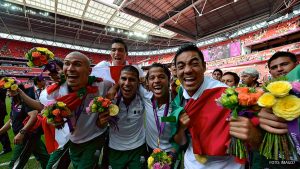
{"x":271,"y":123}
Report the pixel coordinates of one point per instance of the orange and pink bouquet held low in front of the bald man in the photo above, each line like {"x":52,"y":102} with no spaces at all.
{"x":57,"y":114}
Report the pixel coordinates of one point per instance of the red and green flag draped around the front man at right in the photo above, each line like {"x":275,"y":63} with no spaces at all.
{"x":208,"y":125}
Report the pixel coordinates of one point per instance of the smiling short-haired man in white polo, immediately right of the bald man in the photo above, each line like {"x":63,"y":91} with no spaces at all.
{"x":127,"y":144}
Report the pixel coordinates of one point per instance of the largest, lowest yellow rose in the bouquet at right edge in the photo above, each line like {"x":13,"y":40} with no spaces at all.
{"x":287,"y":107}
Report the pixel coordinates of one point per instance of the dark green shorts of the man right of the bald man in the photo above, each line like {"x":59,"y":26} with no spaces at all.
{"x":131,"y":159}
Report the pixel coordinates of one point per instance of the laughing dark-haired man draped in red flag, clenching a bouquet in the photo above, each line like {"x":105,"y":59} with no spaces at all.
{"x":202,"y":123}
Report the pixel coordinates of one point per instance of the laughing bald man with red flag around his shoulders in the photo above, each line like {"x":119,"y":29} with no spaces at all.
{"x":86,"y":137}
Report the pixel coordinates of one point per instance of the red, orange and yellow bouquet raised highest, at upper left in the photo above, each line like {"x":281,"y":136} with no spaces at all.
{"x":39,"y":57}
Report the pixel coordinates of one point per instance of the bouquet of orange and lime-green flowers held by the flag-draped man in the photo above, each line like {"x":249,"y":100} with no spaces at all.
{"x":243,"y":102}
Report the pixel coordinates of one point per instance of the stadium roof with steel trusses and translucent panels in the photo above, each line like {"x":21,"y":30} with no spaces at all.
{"x":144,"y":24}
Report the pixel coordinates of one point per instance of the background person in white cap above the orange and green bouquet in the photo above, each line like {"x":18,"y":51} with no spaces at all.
{"x":249,"y":77}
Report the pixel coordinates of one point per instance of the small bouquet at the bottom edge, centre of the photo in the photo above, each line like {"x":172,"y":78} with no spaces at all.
{"x":159,"y":160}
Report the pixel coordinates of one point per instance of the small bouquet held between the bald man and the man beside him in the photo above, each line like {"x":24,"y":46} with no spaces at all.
{"x":100,"y":104}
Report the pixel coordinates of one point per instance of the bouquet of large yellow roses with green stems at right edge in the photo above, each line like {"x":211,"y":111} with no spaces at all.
{"x":280,"y":97}
